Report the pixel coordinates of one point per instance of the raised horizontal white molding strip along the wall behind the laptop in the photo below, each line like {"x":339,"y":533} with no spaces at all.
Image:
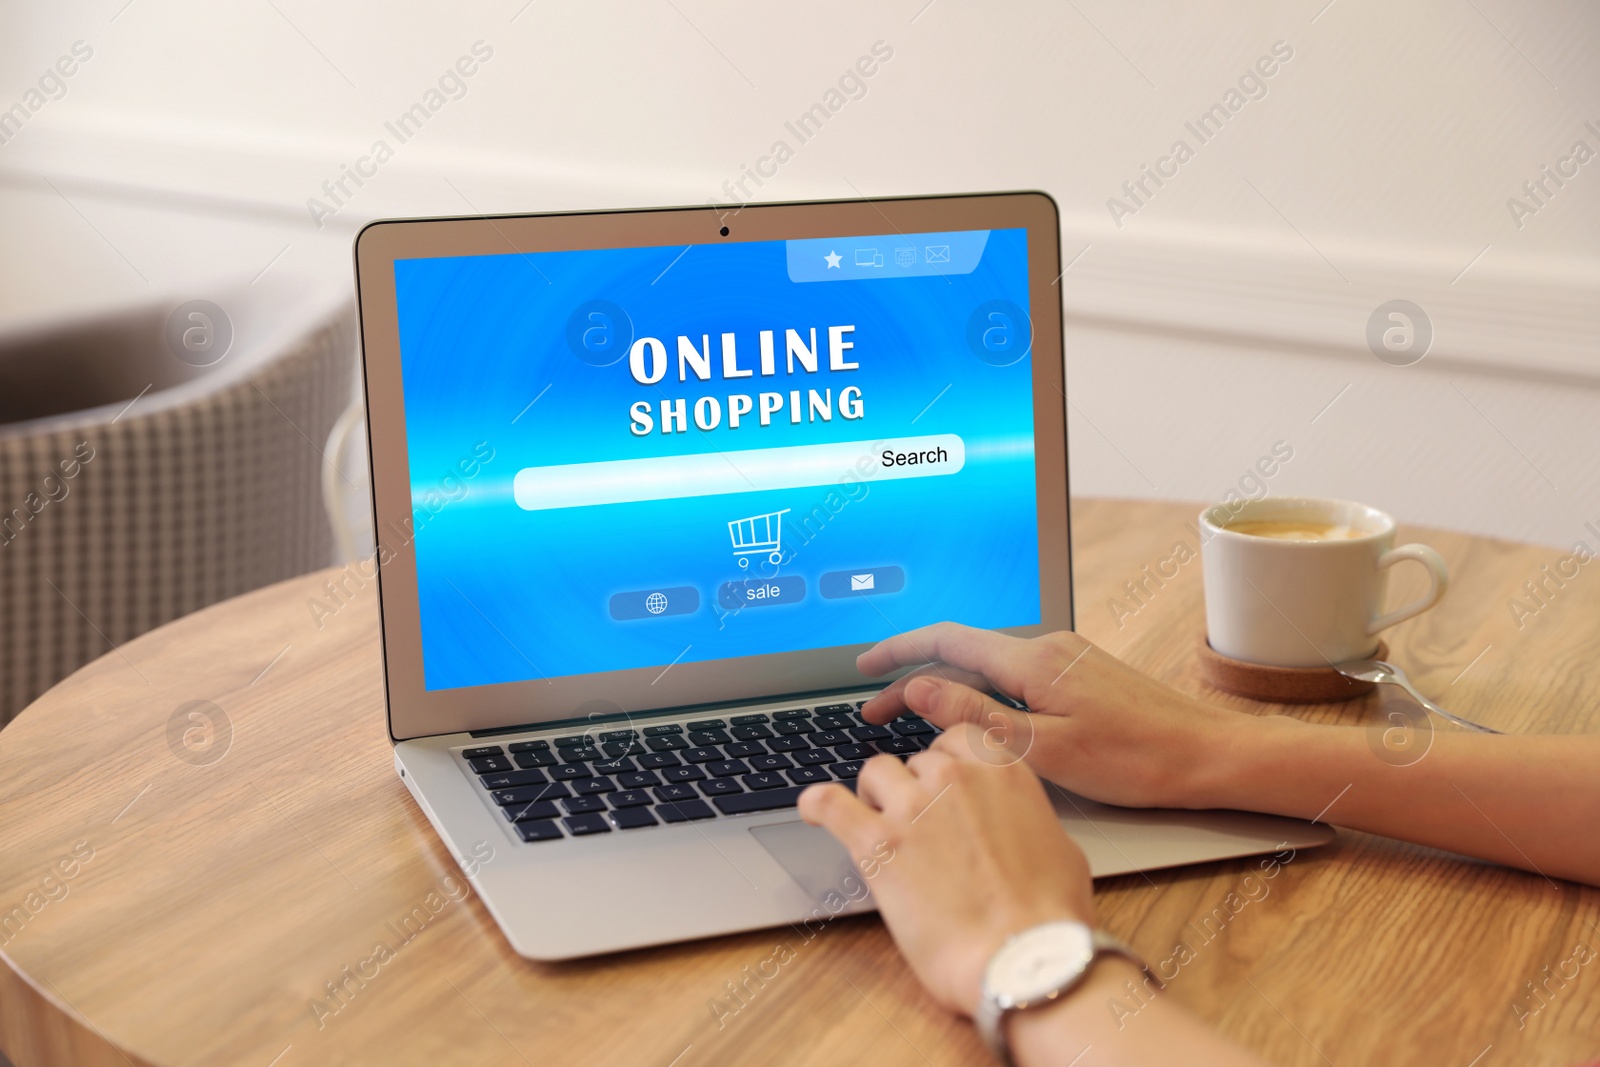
{"x":1500,"y":313}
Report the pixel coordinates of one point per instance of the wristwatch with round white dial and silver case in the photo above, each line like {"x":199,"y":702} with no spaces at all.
{"x":1034,"y":969}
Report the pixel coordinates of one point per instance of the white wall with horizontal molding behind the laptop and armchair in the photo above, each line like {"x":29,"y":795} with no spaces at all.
{"x":1218,"y":318}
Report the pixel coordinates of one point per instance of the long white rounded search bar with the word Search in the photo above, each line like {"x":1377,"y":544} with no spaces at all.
{"x":751,"y":471}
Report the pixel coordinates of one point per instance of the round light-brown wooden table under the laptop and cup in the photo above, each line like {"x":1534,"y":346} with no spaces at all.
{"x":193,"y":911}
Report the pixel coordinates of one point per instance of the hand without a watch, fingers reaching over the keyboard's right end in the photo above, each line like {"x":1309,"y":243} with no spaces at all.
{"x":1095,"y":727}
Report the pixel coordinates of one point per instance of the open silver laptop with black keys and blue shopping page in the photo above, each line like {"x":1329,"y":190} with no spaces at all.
{"x":646,"y":484}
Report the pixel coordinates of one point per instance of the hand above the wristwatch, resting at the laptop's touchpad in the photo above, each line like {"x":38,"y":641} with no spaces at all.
{"x":974,"y":855}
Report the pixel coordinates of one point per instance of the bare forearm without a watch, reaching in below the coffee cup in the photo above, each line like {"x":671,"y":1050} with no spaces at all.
{"x":1522,"y":802}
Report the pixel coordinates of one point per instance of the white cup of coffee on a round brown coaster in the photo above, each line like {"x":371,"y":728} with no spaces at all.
{"x":1305,"y":604}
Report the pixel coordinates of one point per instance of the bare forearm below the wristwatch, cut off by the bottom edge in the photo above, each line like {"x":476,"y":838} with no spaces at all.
{"x":1102,"y":1025}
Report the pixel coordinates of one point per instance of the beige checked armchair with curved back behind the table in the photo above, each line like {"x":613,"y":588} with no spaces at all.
{"x":154,"y":463}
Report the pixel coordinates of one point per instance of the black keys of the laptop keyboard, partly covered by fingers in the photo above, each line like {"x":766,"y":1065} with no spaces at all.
{"x":666,"y":773}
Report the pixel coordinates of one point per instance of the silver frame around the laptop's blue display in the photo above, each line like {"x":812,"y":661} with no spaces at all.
{"x":417,"y":713}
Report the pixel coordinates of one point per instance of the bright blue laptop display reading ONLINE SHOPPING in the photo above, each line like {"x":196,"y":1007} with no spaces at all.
{"x":649,"y":457}
